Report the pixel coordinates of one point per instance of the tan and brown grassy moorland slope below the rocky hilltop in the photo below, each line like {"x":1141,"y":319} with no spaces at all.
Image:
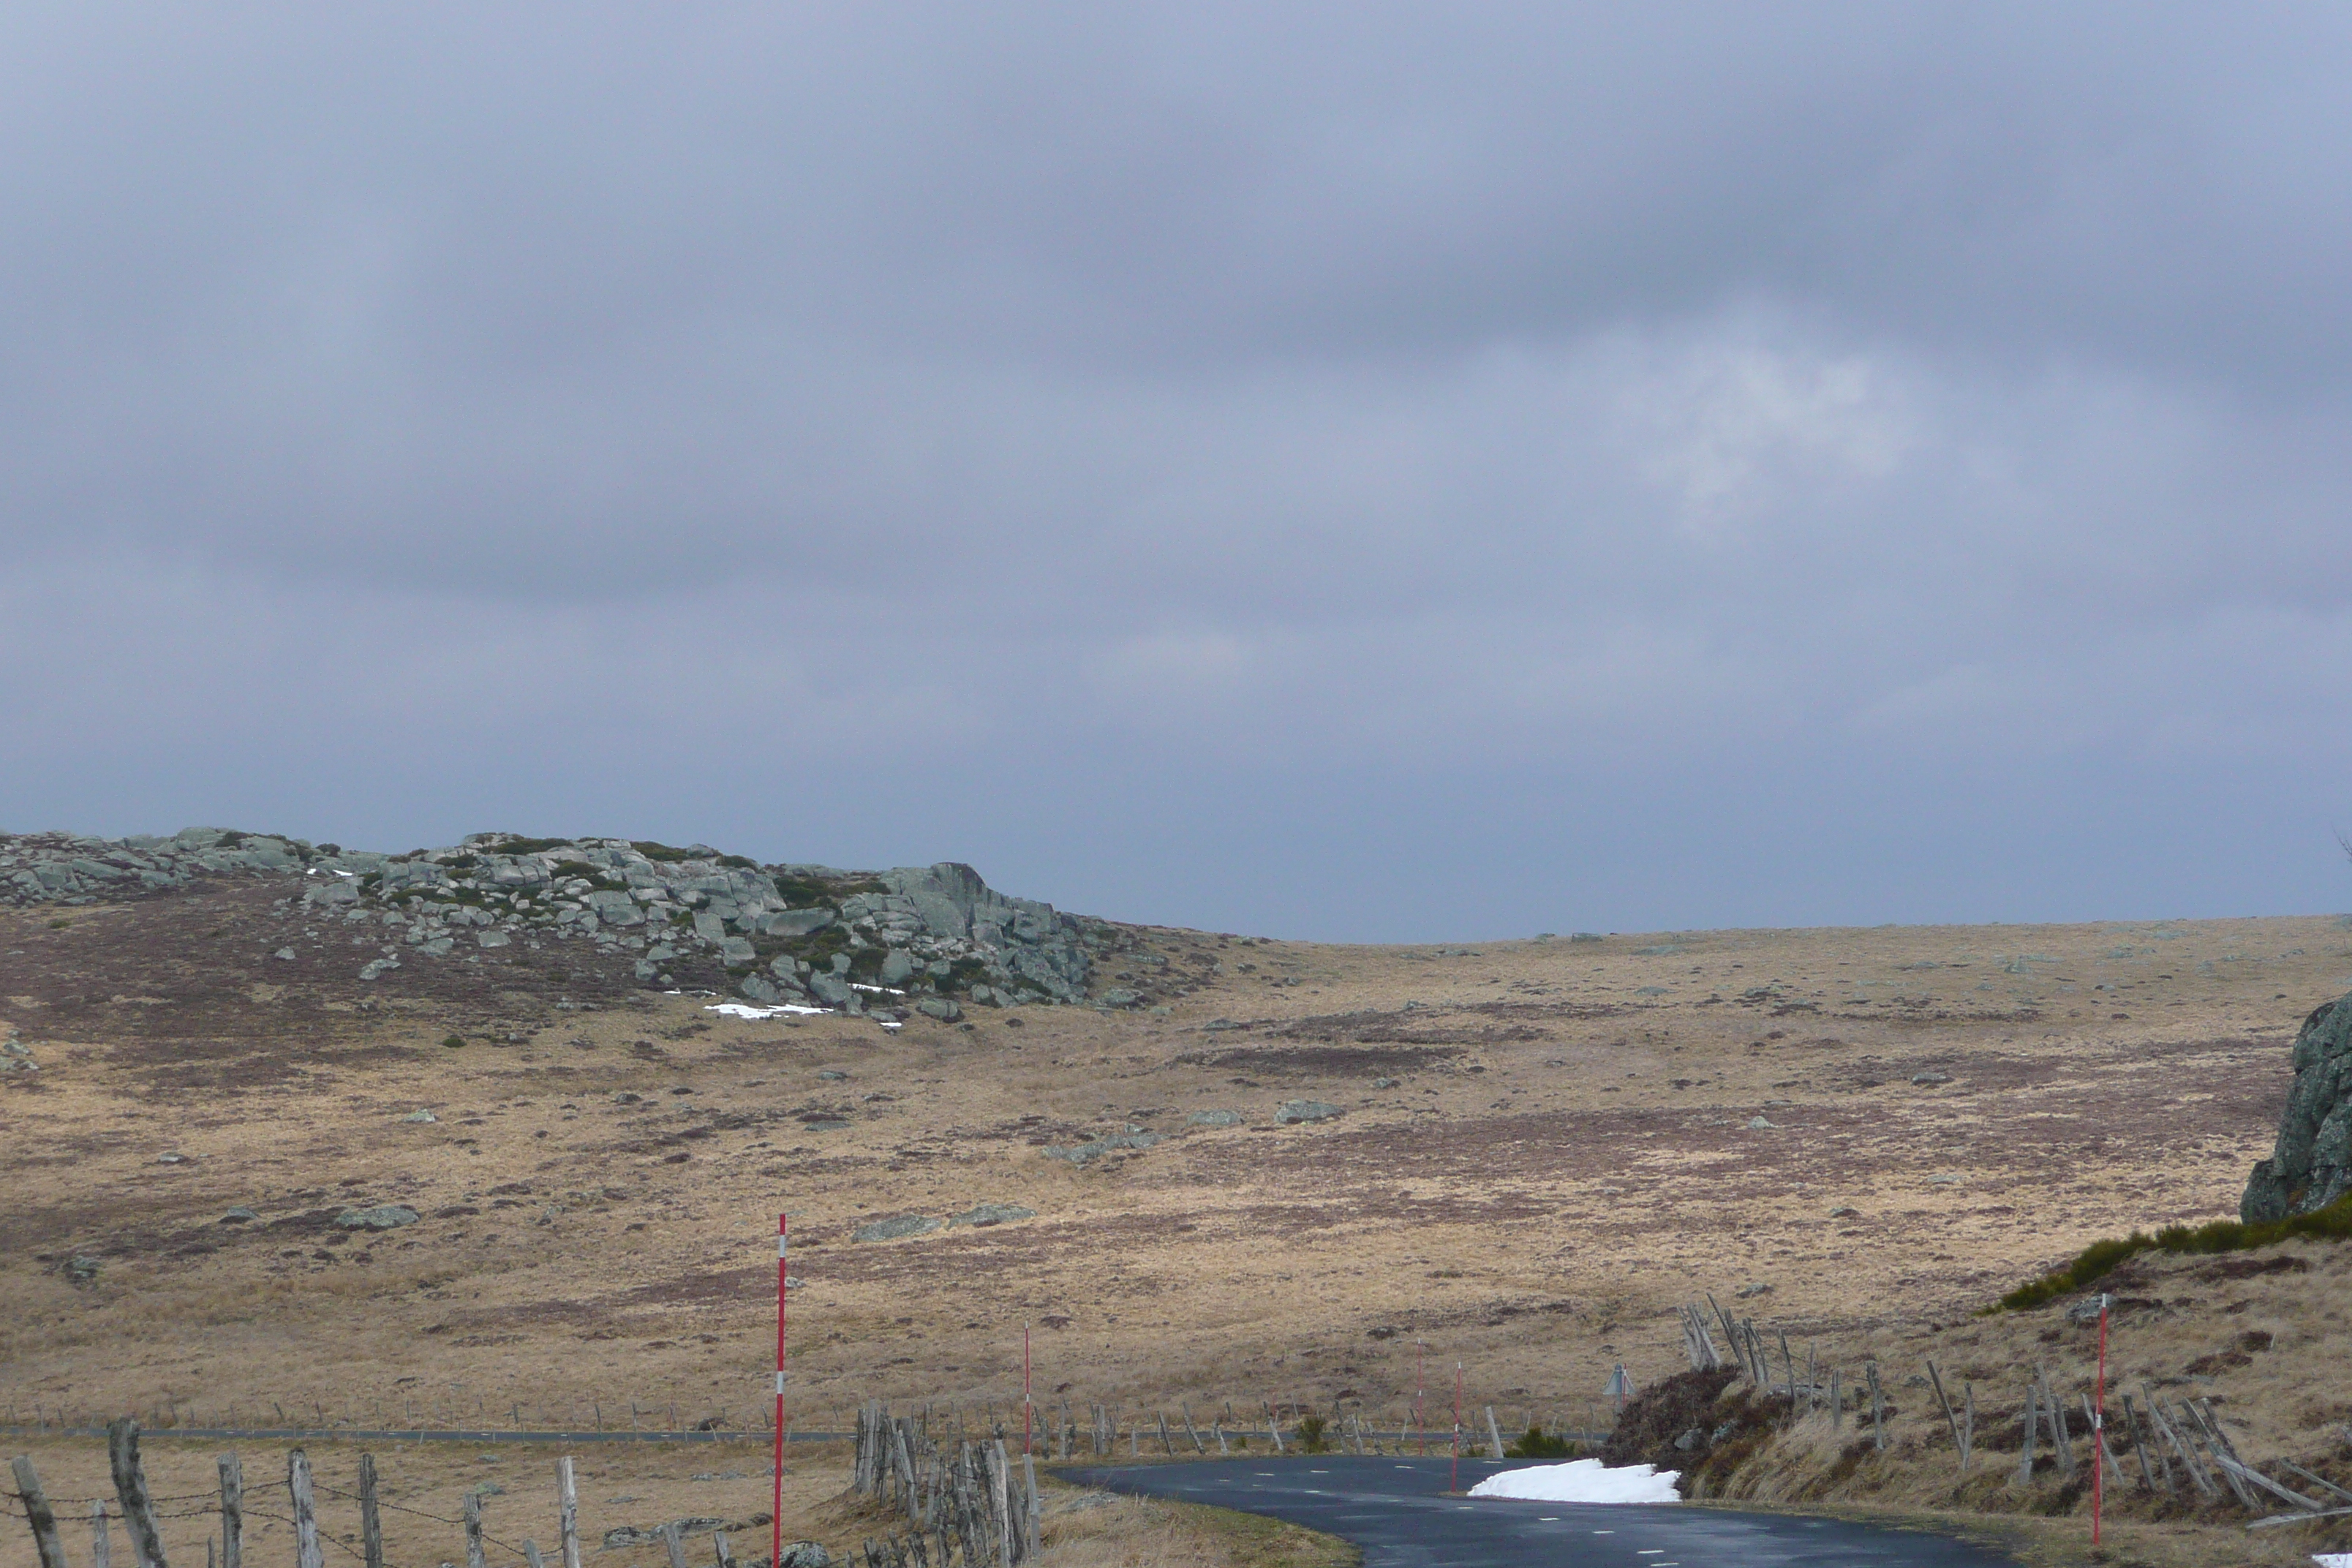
{"x":1539,"y":1151}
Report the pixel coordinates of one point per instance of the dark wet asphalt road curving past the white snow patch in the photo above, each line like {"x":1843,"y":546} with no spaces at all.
{"x":1401,"y":1515}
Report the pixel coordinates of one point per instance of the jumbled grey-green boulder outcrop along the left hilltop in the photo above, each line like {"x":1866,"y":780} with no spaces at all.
{"x":780,"y":934}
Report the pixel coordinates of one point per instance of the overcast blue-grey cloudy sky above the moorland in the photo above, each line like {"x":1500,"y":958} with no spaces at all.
{"x":1342,"y":471}
